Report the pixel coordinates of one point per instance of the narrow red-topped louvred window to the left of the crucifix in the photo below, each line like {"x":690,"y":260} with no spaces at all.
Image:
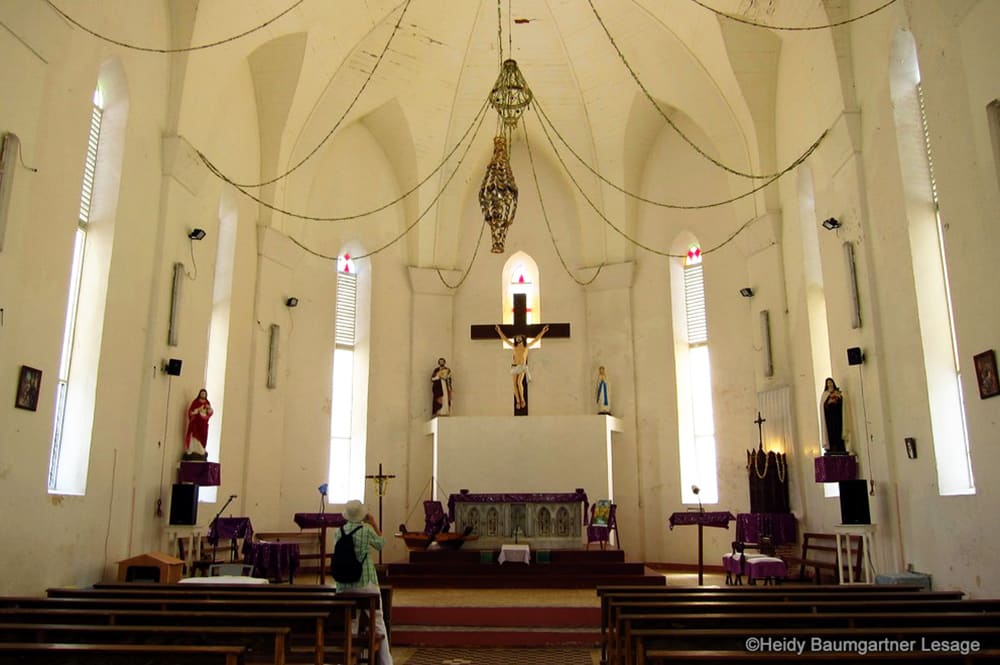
{"x":347,"y":445}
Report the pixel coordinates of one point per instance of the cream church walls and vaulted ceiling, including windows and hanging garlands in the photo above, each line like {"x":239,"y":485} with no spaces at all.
{"x":300,"y":206}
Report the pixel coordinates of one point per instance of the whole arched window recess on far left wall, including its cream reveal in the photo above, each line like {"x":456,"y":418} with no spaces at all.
{"x":76,"y":382}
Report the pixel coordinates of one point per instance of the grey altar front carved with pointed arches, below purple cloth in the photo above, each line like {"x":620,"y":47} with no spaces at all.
{"x":543,"y":520}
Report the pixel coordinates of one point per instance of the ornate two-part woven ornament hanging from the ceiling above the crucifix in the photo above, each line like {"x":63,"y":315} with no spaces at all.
{"x":510,"y":96}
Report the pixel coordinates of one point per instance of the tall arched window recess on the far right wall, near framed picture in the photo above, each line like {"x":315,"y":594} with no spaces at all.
{"x":942,"y":368}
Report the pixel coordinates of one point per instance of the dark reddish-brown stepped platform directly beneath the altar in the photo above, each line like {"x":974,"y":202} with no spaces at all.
{"x":551,"y":569}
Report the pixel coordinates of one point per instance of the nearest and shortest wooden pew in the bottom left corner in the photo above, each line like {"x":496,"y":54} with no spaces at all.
{"x":118,"y":654}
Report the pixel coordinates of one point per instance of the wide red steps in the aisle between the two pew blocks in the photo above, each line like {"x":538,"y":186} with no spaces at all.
{"x":496,"y":626}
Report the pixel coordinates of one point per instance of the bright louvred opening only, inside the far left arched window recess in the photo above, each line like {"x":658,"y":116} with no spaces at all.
{"x":68,"y":462}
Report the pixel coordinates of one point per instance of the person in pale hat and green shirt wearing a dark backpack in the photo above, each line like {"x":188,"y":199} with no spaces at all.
{"x":353,"y":570}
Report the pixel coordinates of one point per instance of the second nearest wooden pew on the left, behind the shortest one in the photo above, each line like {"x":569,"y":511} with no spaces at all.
{"x":263,"y":644}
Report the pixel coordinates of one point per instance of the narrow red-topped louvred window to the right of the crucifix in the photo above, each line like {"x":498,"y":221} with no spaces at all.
{"x":696,"y":417}
